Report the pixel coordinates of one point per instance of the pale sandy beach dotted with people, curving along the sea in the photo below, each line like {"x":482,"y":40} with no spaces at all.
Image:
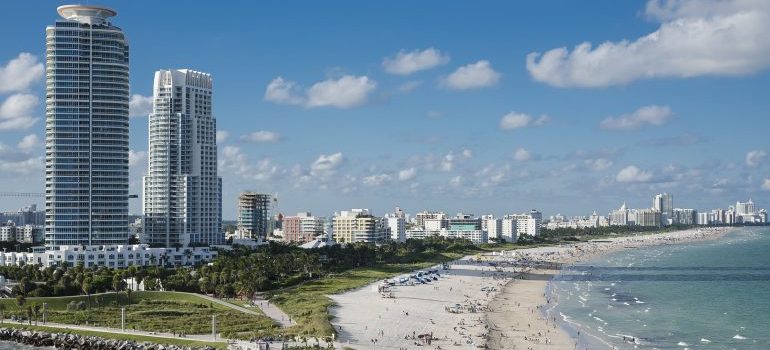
{"x":495,"y":301}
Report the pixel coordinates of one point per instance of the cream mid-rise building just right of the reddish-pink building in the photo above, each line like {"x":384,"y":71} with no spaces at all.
{"x":358,"y":225}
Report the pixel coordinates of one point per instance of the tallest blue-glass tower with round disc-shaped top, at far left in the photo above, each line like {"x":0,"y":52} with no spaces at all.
{"x":86,"y":130}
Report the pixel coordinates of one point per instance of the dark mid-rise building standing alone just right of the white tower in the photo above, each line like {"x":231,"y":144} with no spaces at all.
{"x":254,"y":215}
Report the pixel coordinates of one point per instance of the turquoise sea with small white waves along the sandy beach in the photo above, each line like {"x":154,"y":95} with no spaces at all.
{"x":703,"y":295}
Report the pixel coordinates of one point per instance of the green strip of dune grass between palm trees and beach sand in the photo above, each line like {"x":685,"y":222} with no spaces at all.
{"x":308,"y":303}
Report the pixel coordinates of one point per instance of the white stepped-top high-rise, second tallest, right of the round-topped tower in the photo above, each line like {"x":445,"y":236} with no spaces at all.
{"x":182,"y":192}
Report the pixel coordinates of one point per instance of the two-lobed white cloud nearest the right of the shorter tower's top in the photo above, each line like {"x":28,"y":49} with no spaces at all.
{"x":345,"y":92}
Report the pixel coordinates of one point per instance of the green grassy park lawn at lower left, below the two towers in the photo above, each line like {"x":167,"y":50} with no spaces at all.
{"x":151,"y":311}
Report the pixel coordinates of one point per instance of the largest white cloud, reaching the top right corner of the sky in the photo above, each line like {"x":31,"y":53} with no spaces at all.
{"x":695,"y":38}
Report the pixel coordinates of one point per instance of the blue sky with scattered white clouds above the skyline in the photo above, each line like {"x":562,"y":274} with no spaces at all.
{"x":491,"y":107}
